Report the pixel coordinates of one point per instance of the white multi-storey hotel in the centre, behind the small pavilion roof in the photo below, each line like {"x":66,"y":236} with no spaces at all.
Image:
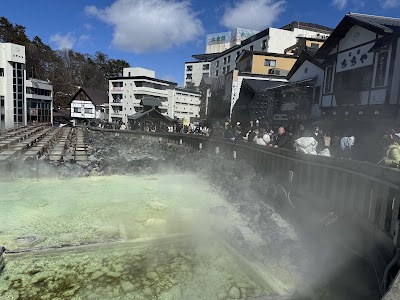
{"x":126,"y":92}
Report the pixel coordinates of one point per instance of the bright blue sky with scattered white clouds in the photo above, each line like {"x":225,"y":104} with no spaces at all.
{"x":163,"y":34}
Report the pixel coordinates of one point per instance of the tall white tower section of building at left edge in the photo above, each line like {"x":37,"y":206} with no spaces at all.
{"x":12,"y":86}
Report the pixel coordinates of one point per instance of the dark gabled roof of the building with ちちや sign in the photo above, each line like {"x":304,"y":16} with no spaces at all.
{"x":380,"y":25}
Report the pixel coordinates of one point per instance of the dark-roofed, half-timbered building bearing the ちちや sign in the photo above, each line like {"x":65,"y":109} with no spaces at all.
{"x":362,"y":74}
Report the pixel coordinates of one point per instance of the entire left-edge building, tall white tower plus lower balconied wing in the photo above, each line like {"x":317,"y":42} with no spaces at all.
{"x":21,"y":100}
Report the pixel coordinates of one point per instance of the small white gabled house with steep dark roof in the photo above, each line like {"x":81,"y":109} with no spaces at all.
{"x":88,"y":104}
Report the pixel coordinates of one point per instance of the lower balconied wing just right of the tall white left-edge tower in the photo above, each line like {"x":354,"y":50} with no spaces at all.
{"x":39,"y":101}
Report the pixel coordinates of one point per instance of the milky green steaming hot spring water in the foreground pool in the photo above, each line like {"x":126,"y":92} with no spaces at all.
{"x":119,"y":211}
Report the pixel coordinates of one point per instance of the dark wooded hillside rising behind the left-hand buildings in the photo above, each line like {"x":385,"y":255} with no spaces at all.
{"x":66,"y":69}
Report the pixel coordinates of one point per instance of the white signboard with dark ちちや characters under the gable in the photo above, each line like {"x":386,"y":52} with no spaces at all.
{"x":355,"y":58}
